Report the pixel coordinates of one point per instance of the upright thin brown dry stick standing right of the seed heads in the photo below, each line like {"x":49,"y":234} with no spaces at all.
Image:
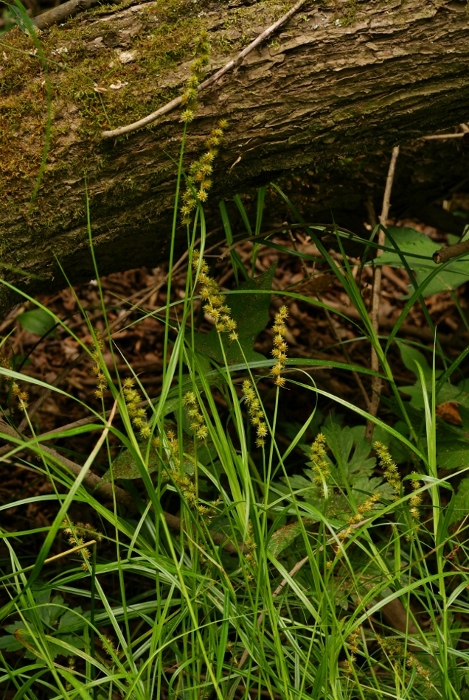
{"x":376,"y":382}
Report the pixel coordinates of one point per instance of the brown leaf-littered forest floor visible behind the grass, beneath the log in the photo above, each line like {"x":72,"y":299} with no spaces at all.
{"x":310,"y":335}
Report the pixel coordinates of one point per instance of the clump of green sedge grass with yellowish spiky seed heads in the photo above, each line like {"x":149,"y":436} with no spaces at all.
{"x":232,"y":552}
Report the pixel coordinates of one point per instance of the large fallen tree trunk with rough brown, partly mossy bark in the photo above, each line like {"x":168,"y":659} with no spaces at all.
{"x":332,"y":91}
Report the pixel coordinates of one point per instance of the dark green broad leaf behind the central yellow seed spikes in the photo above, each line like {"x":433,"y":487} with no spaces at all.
{"x":251,"y":313}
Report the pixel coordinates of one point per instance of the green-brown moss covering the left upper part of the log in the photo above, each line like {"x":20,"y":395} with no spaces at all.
{"x":78,"y":65}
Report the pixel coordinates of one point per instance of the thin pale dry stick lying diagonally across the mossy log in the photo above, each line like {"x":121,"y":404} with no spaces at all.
{"x":210,"y":81}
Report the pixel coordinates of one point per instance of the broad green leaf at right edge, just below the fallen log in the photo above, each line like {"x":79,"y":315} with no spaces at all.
{"x":413,"y":245}
